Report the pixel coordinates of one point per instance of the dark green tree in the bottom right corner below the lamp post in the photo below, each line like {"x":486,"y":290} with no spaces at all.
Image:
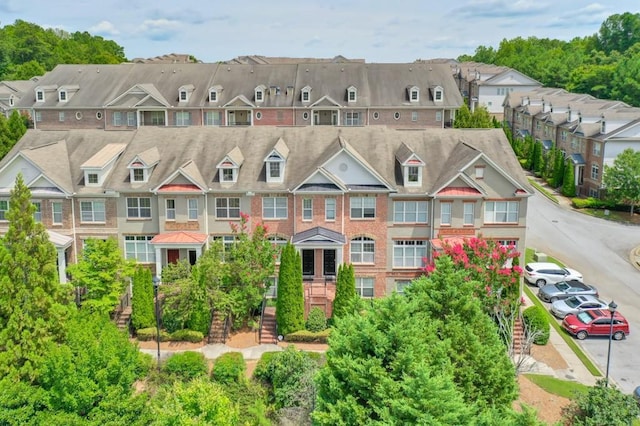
{"x":602,"y":405}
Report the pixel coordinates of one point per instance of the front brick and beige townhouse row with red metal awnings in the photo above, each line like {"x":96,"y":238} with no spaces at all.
{"x":379,"y":198}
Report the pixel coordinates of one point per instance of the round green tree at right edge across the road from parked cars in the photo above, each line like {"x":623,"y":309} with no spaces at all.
{"x":622,"y":178}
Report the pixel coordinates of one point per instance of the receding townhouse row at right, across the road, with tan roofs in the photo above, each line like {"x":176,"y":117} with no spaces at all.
{"x":591,"y":132}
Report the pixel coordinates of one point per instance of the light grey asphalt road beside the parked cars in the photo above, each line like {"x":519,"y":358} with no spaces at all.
{"x":599,"y":249}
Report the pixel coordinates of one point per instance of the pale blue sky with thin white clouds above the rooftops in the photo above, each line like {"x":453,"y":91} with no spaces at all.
{"x":374,"y":30}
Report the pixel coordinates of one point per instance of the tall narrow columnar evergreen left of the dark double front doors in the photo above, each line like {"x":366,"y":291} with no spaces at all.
{"x":290,"y":297}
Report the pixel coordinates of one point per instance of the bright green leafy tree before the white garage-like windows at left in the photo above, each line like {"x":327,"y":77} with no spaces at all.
{"x":103,"y":272}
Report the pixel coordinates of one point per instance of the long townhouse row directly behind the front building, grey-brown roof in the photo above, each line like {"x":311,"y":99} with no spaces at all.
{"x":133,"y":95}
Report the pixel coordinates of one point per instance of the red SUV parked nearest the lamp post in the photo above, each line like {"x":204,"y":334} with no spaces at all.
{"x":596,"y":323}
